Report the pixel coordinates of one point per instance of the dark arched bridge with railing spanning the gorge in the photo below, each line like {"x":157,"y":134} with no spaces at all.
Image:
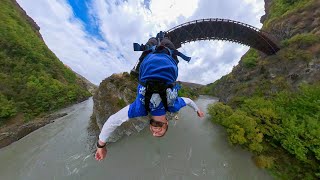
{"x":222,"y":29}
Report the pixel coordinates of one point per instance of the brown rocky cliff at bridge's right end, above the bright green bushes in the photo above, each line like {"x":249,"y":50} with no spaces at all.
{"x":297,"y":62}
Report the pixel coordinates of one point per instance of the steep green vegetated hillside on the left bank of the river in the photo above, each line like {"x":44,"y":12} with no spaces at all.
{"x":32,"y":79}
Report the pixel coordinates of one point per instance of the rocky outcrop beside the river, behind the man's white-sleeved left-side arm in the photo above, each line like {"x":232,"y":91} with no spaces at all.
{"x":114,"y":93}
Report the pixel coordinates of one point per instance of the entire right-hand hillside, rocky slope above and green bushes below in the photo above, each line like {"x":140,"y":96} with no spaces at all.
{"x":271,"y":104}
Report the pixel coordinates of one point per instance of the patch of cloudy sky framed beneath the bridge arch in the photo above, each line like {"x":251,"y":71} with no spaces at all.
{"x":210,"y":63}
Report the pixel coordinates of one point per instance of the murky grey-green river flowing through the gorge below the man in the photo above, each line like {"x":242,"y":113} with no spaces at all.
{"x":193,"y":148}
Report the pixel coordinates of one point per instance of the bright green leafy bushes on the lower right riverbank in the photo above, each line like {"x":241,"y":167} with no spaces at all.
{"x":277,"y":129}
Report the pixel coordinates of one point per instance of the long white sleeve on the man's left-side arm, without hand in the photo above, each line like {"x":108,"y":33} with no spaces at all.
{"x":113,"y":122}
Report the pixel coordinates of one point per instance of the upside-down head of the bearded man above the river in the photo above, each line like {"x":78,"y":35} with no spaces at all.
{"x":158,"y":125}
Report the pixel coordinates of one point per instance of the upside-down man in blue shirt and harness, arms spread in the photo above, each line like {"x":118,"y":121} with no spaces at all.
{"x":157,"y":91}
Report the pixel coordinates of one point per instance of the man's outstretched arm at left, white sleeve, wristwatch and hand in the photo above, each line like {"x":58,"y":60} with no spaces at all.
{"x":109,"y":126}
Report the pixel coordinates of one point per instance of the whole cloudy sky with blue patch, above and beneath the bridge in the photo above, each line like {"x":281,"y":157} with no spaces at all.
{"x":94,"y":37}
